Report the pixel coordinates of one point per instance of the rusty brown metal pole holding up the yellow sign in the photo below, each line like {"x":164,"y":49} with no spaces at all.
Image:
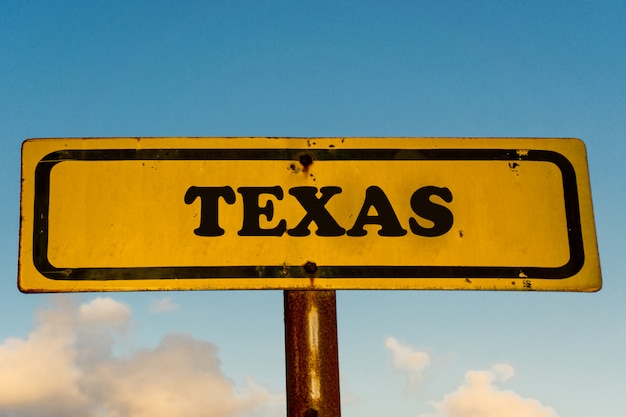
{"x":311,"y":351}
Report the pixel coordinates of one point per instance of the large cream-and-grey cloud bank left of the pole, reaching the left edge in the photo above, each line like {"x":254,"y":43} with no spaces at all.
{"x":65,"y":367}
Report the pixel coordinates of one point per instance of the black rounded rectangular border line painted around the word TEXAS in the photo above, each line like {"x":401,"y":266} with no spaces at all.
{"x":42,"y":199}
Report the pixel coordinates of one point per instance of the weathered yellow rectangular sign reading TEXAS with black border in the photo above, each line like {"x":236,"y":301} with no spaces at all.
{"x":123,"y":214}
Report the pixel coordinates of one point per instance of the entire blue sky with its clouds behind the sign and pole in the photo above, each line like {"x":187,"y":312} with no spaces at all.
{"x":367,"y":68}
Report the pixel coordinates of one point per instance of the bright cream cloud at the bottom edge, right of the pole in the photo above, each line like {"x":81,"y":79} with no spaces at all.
{"x":478,"y":396}
